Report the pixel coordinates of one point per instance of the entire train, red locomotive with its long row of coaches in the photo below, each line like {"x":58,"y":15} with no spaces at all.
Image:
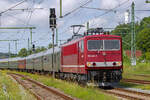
{"x":94,"y":57}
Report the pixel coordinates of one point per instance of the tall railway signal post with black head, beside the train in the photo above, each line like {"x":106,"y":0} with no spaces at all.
{"x":52,"y":22}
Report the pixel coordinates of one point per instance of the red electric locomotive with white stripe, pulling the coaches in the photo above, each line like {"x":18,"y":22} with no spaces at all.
{"x":93,"y":57}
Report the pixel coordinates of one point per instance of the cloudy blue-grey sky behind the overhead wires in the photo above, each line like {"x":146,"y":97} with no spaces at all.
{"x":37,"y":16}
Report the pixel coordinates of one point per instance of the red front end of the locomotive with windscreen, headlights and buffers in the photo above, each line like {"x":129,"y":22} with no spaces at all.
{"x":103,"y":58}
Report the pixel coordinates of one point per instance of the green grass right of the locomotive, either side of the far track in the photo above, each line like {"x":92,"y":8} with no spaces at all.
{"x":131,"y":72}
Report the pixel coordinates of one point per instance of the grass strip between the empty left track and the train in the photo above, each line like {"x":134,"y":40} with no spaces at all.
{"x":70,"y":88}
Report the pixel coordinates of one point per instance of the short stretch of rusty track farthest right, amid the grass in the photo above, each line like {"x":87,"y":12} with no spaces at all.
{"x":136,"y":81}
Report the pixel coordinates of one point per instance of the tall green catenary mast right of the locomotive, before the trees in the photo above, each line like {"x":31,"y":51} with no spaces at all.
{"x":133,"y":45}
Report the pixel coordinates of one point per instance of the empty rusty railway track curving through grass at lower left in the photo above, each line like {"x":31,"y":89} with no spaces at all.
{"x":40,"y":91}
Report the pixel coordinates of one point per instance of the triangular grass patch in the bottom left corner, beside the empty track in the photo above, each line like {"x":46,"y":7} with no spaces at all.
{"x":10,"y":90}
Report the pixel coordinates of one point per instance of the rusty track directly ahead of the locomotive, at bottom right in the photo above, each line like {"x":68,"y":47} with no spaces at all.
{"x":128,"y":94}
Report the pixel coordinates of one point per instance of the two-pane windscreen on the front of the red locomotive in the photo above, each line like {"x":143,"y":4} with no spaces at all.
{"x":94,"y":45}
